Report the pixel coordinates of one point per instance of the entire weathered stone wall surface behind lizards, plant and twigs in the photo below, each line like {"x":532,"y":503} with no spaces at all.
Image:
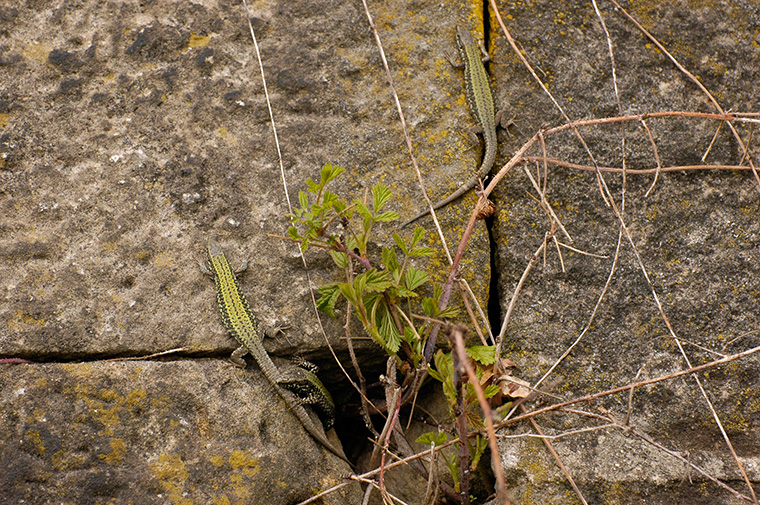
{"x":132,"y":131}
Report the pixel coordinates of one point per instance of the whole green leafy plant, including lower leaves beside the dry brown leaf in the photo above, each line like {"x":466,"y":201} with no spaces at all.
{"x":387,"y":294}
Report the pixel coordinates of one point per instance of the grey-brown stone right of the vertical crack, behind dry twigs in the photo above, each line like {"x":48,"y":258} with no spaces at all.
{"x":697,"y":234}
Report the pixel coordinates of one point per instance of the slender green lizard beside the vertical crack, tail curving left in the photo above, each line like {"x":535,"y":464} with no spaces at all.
{"x":480,"y":100}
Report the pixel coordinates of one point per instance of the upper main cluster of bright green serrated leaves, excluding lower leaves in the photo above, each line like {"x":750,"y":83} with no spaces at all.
{"x":383,"y":292}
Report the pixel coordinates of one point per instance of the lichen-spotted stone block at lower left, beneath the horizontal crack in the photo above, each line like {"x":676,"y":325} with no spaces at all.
{"x":198,"y":431}
